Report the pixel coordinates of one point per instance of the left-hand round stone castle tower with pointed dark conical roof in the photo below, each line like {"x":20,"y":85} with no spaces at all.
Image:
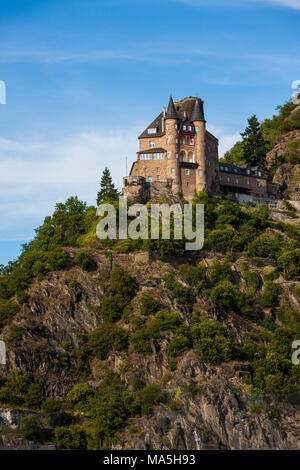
{"x":172,"y":146}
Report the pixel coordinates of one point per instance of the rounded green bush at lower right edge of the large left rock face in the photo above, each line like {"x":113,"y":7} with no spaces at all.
{"x":106,"y":338}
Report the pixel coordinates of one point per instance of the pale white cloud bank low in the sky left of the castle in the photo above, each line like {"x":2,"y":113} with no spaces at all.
{"x":34,"y":176}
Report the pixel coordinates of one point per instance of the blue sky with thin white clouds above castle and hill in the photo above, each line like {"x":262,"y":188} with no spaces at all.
{"x":84,"y":77}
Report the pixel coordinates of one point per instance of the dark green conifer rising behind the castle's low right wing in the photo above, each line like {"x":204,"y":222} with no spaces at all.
{"x":254,"y":145}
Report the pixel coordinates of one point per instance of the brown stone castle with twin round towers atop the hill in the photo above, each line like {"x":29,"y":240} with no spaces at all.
{"x":178,"y":155}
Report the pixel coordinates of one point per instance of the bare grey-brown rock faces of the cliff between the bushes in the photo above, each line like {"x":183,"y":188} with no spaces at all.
{"x":212,"y":409}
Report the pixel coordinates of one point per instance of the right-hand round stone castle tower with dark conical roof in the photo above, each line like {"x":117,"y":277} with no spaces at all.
{"x":199,"y":122}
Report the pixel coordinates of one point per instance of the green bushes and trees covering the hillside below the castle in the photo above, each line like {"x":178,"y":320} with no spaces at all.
{"x":132,"y":323}
